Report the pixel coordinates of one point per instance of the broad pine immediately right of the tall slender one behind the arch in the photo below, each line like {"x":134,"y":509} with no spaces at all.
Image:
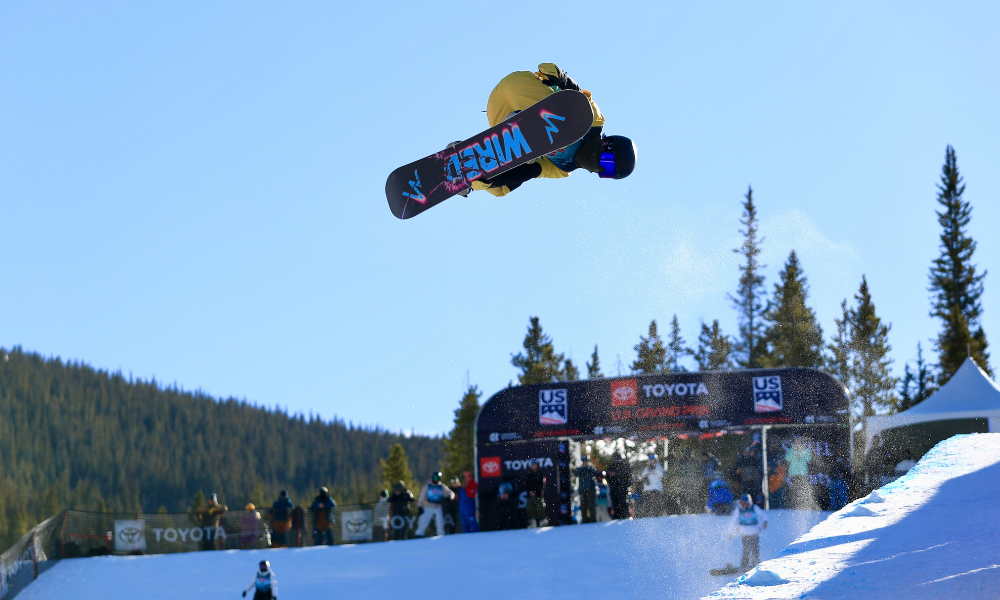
{"x":793,"y":337}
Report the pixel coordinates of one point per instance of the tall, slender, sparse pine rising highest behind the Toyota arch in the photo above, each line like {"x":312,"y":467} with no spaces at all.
{"x":749,"y":298}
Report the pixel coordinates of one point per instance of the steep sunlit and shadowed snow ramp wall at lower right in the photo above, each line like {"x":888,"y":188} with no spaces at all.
{"x":934,"y":533}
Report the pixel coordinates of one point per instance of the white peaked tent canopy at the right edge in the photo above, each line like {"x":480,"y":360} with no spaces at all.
{"x":969,"y":394}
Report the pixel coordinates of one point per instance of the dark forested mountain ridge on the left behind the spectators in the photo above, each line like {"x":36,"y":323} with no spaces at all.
{"x":75,"y":437}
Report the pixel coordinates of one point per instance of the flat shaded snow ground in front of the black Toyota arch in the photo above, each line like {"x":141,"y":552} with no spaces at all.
{"x":667,"y":557}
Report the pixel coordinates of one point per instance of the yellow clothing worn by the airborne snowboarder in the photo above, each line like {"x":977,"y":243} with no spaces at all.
{"x":518,"y":91}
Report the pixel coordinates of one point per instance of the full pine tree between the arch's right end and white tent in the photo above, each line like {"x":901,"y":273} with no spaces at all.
{"x":873,"y":384}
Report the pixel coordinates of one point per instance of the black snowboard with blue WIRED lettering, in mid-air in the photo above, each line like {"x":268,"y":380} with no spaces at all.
{"x":550,"y":124}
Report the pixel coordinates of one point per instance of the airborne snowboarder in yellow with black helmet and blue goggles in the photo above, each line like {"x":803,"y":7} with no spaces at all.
{"x":611,"y":157}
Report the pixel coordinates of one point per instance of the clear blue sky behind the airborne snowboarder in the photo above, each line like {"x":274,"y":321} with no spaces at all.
{"x":194,"y":191}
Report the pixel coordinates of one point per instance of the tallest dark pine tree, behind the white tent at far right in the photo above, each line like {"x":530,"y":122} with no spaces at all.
{"x":957,"y":289}
